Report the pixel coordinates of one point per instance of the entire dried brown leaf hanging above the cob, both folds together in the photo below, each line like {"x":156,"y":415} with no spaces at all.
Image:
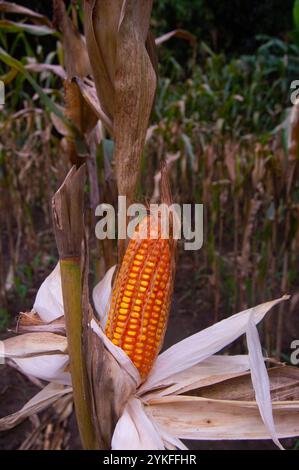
{"x":123,"y":62}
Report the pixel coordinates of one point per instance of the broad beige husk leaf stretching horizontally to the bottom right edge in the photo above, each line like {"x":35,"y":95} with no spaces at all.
{"x":201,"y":418}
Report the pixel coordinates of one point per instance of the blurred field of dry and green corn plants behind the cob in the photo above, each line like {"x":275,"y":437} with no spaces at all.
{"x":222,"y":122}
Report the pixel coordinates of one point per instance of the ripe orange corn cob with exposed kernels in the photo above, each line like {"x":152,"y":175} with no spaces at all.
{"x":141,"y":298}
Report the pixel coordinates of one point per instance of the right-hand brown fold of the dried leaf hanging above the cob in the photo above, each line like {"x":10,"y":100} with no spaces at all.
{"x":135,"y":88}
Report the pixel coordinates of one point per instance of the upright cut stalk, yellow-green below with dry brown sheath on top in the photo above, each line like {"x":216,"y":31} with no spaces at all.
{"x":68,"y":225}
